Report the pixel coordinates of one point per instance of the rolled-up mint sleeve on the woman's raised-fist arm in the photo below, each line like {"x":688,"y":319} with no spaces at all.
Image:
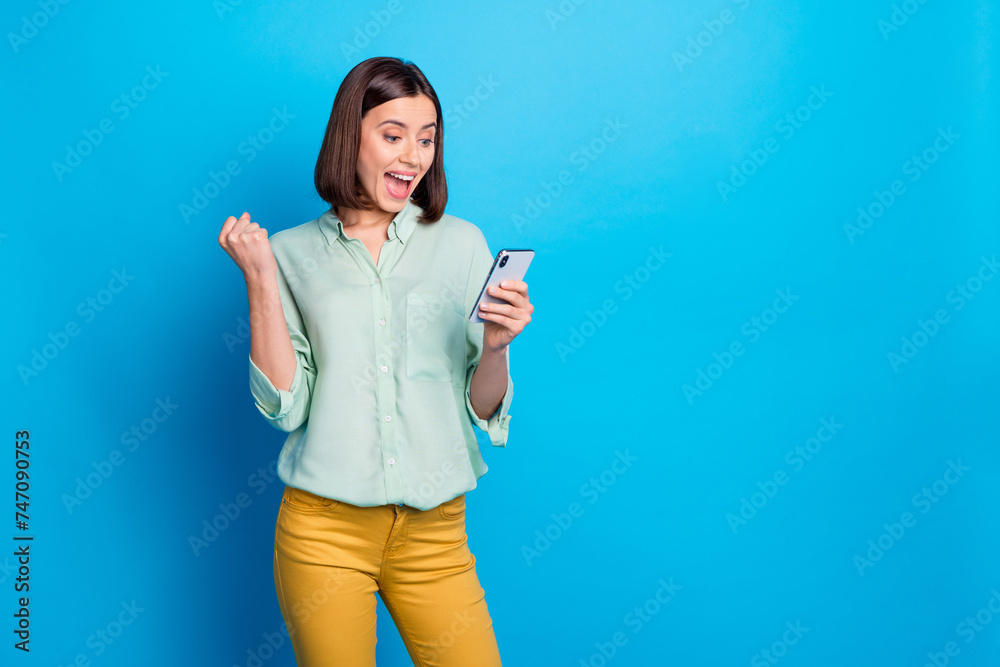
{"x":286,"y":410}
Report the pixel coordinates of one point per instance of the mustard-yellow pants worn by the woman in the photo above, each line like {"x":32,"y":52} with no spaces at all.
{"x":330,"y":557}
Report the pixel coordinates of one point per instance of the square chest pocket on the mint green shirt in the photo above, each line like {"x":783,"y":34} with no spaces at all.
{"x":435,"y":339}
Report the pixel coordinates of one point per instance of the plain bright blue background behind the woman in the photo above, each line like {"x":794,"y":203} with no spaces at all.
{"x":697,"y":94}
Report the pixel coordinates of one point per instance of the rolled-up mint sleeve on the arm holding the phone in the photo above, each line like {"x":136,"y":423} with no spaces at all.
{"x":496,"y":427}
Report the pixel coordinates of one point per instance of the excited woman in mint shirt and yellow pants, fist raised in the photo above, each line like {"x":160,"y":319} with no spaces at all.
{"x":362,"y":350}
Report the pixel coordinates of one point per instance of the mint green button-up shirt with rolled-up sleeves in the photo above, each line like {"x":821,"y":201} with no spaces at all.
{"x":379,"y":410}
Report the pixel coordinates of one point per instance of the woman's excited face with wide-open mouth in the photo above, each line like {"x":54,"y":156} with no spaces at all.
{"x":397,"y":137}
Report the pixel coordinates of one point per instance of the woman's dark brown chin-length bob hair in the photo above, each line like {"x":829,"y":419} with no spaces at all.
{"x":370,"y":83}
